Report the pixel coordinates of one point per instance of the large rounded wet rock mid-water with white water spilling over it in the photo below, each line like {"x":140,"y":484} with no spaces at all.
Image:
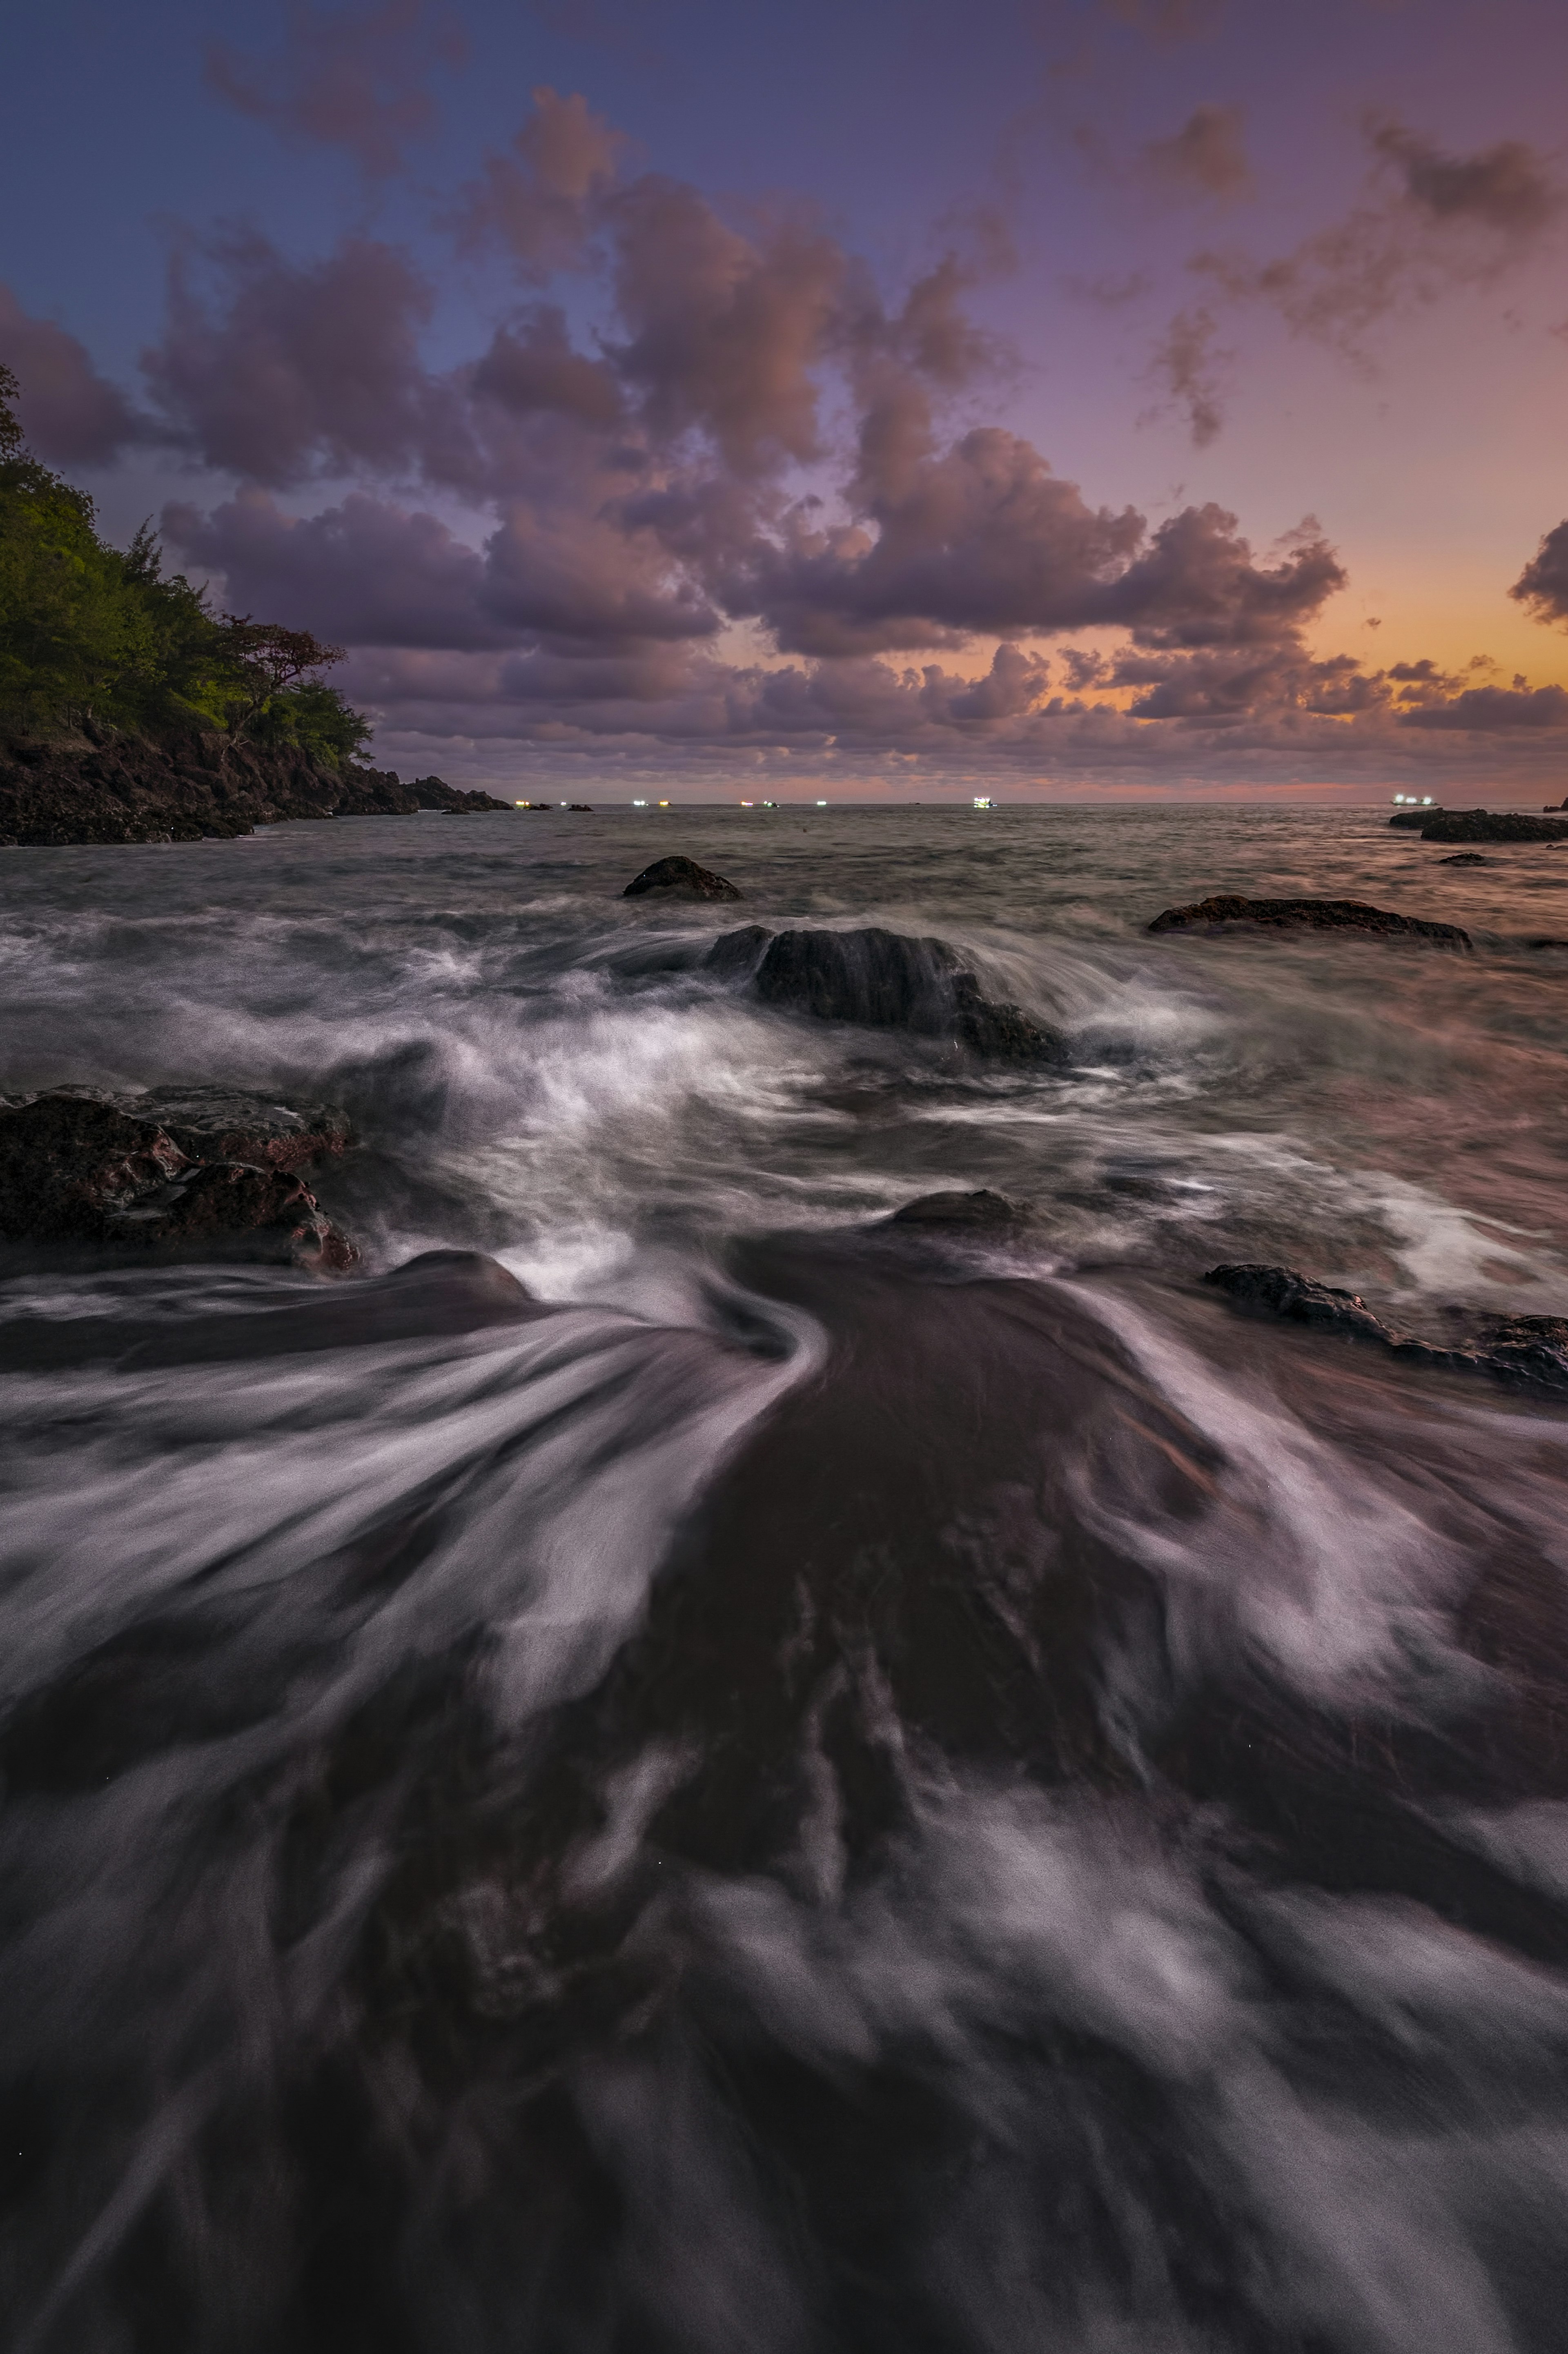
{"x":884,"y":980}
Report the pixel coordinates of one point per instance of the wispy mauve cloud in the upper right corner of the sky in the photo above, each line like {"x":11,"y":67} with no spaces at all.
{"x":1430,"y":225}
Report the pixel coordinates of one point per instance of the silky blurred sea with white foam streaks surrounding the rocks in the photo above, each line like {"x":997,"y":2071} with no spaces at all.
{"x":707,"y":1771}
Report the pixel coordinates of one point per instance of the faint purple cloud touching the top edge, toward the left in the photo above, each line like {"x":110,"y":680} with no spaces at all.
{"x":354,"y":79}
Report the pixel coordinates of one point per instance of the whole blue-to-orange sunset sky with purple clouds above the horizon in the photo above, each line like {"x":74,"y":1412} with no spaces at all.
{"x":1044,"y":399}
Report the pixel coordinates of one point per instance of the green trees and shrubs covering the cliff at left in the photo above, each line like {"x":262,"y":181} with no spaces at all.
{"x":95,"y":634}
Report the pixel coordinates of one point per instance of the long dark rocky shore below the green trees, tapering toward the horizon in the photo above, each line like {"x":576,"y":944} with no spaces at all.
{"x":126,"y":790}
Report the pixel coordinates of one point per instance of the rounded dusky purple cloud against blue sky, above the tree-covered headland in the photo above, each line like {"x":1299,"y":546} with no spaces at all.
{"x":295,"y":371}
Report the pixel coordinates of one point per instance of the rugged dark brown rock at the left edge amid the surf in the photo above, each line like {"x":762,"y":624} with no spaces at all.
{"x":81,"y":1169}
